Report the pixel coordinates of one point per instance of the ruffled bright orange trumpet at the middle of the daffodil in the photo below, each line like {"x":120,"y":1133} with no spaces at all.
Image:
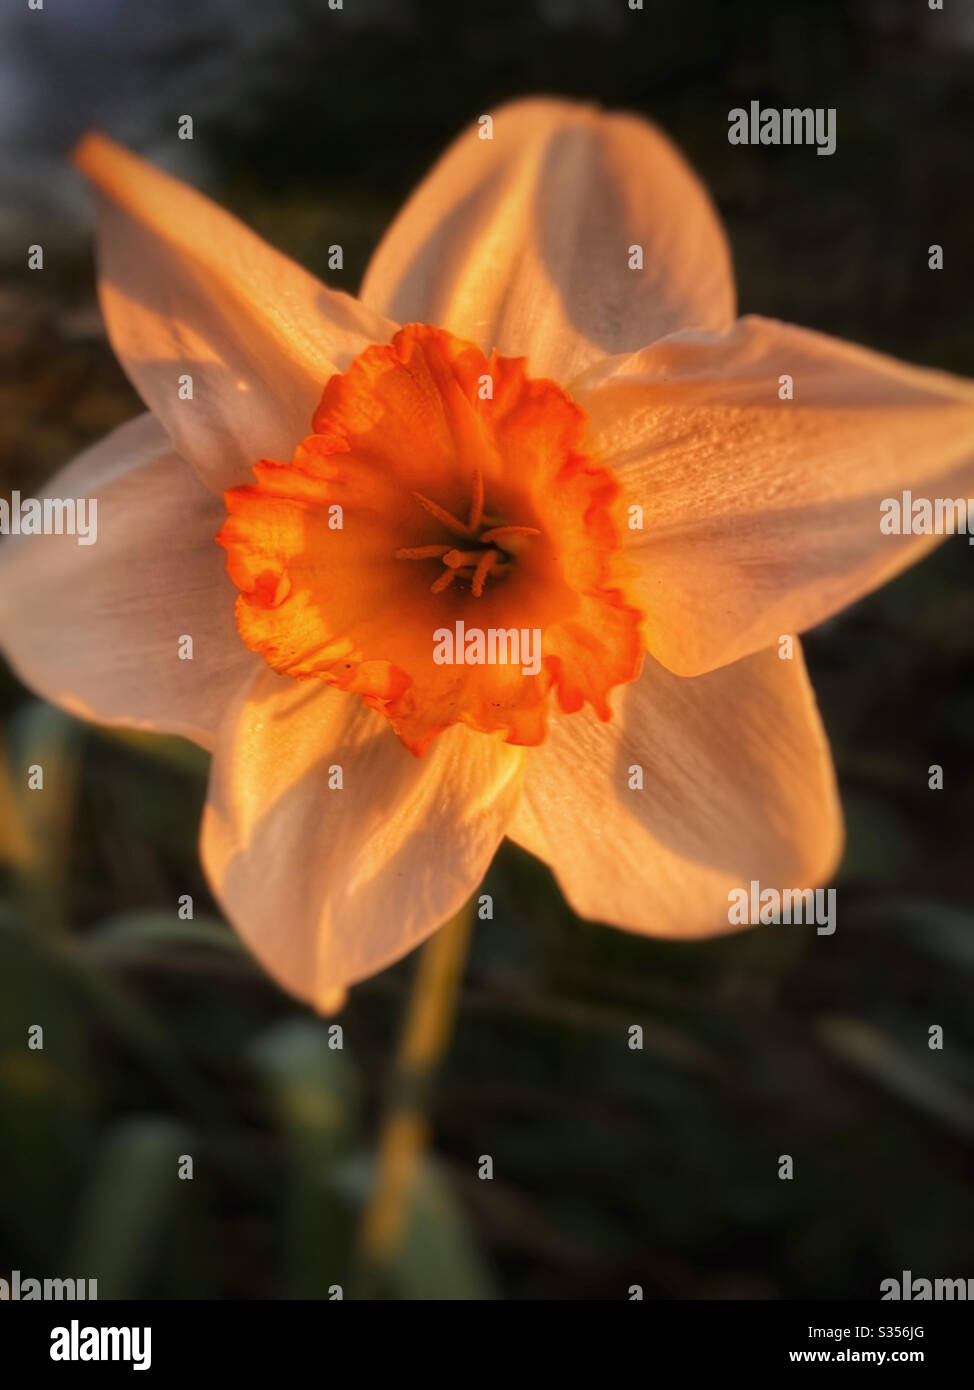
{"x":440,"y":486}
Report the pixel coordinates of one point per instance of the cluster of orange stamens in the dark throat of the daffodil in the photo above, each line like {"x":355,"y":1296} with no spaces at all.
{"x":487,"y":551}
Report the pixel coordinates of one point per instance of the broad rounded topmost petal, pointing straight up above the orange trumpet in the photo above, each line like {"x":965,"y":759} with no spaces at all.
{"x":523,"y":243}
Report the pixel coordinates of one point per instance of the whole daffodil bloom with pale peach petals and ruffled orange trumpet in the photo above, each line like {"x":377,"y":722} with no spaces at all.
{"x":554,"y":443}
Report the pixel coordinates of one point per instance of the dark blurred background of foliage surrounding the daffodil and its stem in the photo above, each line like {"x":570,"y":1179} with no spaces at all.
{"x":612,"y":1167}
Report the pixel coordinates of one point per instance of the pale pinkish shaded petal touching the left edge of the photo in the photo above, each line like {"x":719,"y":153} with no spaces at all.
{"x":97,"y":629}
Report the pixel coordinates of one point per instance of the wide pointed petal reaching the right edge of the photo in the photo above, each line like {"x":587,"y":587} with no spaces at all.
{"x":762,"y":515}
